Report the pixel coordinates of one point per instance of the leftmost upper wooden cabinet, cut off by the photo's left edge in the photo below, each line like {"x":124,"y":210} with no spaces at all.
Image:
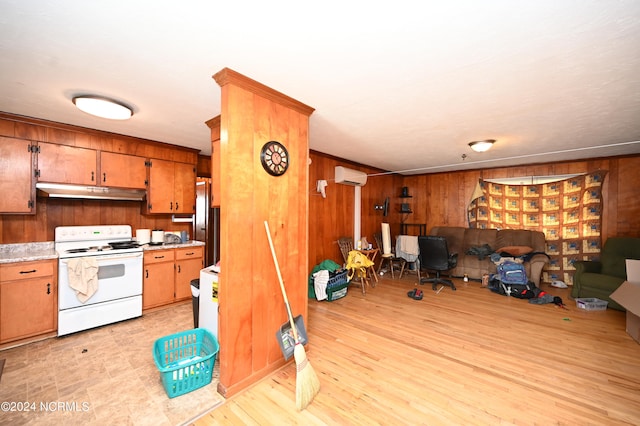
{"x":16,"y":176}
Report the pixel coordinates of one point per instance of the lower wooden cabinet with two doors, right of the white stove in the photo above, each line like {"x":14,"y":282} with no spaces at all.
{"x":167,"y":275}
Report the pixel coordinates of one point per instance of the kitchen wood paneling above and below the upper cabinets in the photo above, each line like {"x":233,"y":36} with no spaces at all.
{"x":51,"y":213}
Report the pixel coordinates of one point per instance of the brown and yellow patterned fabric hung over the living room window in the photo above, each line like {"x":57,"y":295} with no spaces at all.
{"x":569,"y":212}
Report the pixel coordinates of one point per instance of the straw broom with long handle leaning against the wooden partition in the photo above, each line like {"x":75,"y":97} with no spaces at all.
{"x":307,"y":383}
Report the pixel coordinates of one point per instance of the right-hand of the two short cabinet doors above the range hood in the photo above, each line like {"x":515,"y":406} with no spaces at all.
{"x":122,"y":171}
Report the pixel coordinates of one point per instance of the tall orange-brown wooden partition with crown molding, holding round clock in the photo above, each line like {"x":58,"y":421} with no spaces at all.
{"x":251,"y":303}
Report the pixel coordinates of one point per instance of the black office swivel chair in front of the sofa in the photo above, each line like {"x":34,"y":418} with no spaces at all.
{"x":434,"y":255}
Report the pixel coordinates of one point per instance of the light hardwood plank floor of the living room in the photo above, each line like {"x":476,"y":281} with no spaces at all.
{"x":463,"y":357}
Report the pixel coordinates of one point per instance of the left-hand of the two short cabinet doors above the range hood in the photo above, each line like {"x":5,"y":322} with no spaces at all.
{"x":67,"y":164}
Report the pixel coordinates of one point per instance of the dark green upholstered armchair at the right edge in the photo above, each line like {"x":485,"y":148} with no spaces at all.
{"x":601,"y":278}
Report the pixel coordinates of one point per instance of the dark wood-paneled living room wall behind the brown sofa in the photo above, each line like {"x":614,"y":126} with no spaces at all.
{"x":441,"y":199}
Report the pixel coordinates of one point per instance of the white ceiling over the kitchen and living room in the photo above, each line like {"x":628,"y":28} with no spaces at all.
{"x":402,"y":85}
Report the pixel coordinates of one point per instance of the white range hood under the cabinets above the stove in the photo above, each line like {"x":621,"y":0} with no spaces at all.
{"x":57,"y":190}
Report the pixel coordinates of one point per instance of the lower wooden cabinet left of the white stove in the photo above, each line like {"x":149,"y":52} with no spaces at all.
{"x":28,"y":299}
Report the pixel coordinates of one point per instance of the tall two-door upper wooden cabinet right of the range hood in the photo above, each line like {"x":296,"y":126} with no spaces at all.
{"x":172,"y":187}
